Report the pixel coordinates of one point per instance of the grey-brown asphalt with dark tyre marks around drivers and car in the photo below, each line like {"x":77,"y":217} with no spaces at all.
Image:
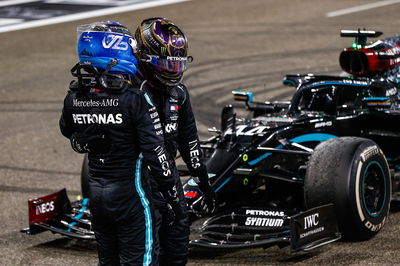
{"x":236,"y":45}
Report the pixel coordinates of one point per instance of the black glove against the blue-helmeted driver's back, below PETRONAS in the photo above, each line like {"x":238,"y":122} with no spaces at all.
{"x":92,"y":140}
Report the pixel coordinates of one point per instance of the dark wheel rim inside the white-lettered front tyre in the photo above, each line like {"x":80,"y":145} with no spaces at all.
{"x":373,"y":188}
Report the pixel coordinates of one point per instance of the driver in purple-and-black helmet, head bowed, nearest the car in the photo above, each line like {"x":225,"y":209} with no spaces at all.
{"x":162,"y":58}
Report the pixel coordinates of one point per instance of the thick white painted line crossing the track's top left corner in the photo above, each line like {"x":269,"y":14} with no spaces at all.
{"x":89,"y":14}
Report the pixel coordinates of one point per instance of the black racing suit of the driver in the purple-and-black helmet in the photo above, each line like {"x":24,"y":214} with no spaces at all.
{"x":180,"y":132}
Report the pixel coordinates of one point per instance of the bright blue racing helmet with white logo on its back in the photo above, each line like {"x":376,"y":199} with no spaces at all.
{"x":107,"y":45}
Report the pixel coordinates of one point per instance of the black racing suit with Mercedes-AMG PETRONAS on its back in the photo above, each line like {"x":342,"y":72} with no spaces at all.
{"x":123,"y":217}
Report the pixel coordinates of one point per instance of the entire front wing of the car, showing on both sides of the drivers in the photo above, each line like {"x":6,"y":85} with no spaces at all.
{"x":240,"y":228}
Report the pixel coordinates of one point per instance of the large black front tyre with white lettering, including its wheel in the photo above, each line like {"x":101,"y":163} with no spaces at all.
{"x":353,"y":174}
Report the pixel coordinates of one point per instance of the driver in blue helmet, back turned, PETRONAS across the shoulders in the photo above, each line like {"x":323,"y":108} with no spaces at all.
{"x":118,"y":126}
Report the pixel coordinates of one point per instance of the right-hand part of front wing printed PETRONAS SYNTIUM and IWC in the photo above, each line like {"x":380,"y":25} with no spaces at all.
{"x":255,"y":227}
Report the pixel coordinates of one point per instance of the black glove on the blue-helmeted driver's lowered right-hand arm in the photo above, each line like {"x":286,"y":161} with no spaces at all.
{"x":174,"y":209}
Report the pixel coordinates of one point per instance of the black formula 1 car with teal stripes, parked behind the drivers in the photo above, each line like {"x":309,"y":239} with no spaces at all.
{"x":299,"y":173}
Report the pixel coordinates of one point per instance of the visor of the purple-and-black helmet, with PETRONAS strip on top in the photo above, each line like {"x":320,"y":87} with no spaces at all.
{"x":174,"y":65}
